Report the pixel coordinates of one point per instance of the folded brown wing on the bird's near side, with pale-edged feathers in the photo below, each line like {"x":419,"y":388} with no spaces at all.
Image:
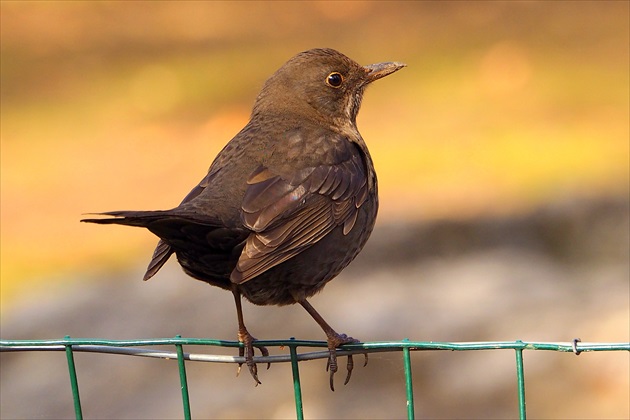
{"x":288,"y":216}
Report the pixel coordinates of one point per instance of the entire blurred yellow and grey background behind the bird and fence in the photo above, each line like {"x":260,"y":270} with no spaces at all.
{"x":503,"y":159}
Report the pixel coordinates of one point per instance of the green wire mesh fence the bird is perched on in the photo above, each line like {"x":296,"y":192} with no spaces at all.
{"x":136,"y":348}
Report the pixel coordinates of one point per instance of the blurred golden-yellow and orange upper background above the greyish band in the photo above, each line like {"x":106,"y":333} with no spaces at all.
{"x":123,"y":105}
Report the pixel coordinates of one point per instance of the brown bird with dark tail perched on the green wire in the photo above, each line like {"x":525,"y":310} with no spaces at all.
{"x":288,"y":203}
